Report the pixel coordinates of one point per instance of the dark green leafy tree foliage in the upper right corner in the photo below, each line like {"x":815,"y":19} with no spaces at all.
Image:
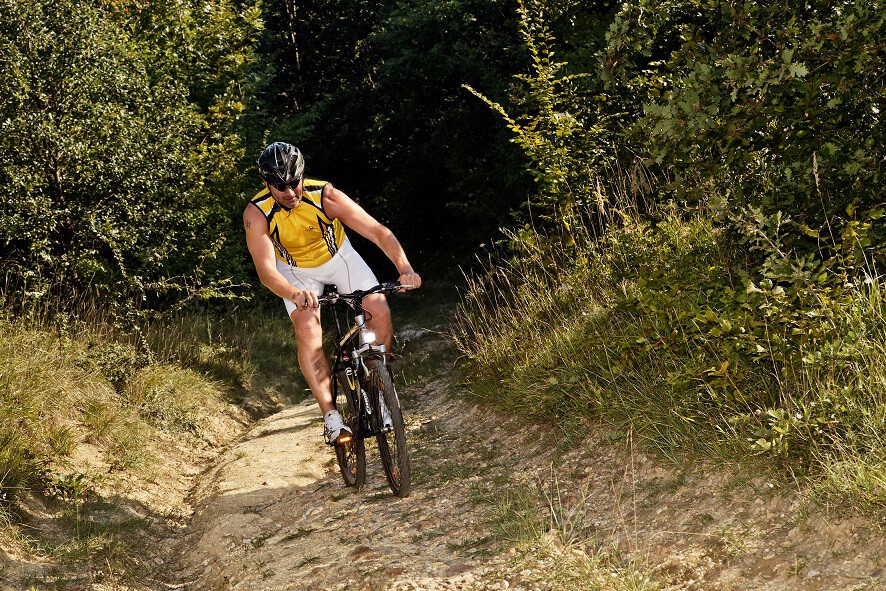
{"x":777,"y":105}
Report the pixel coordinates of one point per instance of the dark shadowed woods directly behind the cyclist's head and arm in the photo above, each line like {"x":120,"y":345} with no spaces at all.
{"x":376,"y":102}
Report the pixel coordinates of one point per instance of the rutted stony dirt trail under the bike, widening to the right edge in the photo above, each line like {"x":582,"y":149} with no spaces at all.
{"x":273,"y":514}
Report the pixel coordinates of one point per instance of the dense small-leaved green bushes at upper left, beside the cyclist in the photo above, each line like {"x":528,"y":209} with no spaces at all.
{"x":106,"y":160}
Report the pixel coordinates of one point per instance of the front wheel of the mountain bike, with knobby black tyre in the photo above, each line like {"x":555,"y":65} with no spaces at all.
{"x":391,"y":444}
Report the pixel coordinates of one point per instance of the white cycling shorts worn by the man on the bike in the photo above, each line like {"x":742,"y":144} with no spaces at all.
{"x":346,"y":270}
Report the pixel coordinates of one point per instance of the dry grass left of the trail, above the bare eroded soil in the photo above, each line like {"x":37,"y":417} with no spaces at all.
{"x":73,"y":374}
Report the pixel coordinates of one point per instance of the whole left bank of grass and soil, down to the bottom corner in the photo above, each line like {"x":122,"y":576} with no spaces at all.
{"x":92,"y":403}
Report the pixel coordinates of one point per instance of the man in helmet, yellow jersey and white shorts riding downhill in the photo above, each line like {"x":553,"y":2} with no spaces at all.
{"x":295,"y":234}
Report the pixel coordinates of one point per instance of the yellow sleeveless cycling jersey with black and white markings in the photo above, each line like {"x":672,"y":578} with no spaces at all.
{"x":303,"y":236}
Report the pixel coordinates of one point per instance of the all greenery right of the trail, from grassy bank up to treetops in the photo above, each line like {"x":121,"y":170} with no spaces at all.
{"x":724,"y":299}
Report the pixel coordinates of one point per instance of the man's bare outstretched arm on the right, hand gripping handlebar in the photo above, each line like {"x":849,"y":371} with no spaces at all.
{"x":340,"y":206}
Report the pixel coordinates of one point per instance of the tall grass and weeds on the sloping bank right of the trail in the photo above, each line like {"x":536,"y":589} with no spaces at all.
{"x":664,"y":329}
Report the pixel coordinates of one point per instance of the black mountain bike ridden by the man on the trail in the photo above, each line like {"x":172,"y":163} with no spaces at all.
{"x":363,"y":393}
